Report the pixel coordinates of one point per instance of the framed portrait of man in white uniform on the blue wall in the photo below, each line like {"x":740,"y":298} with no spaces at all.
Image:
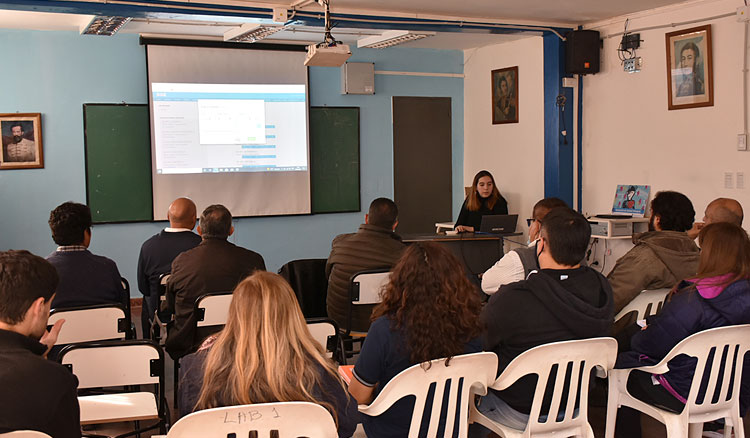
{"x":22,"y":141}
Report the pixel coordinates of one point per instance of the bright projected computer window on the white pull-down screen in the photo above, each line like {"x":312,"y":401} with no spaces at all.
{"x":216,"y":128}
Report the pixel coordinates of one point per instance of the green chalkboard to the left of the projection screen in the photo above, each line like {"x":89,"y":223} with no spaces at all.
{"x":118,"y":162}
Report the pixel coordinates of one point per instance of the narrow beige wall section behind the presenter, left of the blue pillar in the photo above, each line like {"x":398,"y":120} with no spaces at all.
{"x":514,"y":153}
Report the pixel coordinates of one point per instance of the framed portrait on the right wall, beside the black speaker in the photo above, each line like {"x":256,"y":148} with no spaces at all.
{"x":690,"y":75}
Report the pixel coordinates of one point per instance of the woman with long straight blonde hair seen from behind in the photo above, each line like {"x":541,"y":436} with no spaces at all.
{"x":264,"y":354}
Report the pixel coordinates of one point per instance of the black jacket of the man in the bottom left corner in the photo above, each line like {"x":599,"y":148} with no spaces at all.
{"x":37,"y":394}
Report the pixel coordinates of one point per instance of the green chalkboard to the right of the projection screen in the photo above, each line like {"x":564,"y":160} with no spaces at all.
{"x":334,"y":159}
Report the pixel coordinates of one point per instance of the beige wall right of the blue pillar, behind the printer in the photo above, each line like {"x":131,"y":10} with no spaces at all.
{"x":630,"y":137}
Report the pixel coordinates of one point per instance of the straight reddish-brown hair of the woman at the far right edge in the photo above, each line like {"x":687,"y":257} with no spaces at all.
{"x":725,"y":249}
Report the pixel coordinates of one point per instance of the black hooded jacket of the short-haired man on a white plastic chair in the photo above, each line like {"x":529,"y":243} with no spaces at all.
{"x":550,"y":306}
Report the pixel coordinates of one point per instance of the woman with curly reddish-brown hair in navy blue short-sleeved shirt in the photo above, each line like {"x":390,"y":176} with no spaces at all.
{"x":429,"y":310}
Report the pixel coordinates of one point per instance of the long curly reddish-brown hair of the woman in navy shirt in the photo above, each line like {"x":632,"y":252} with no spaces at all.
{"x":430,"y":299}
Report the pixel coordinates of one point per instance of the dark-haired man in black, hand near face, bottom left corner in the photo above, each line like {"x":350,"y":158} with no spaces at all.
{"x":38,"y":394}
